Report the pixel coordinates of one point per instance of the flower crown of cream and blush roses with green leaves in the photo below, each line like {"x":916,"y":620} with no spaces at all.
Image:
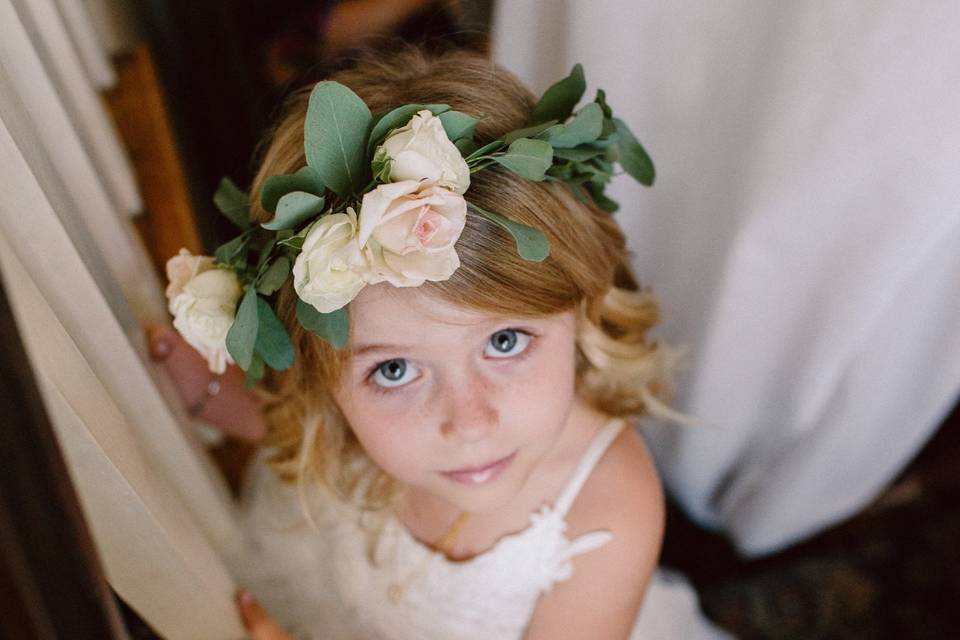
{"x":381,"y":199}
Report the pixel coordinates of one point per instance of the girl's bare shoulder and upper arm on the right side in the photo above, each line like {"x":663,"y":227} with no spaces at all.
{"x":604,"y":595}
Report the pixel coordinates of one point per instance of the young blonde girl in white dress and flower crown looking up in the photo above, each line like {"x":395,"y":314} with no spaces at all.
{"x":465,"y":466}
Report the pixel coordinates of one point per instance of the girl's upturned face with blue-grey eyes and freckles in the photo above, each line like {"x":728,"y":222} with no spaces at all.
{"x":452,"y":403}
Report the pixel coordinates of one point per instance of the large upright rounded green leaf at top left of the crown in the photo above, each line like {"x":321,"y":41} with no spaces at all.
{"x":335,"y":136}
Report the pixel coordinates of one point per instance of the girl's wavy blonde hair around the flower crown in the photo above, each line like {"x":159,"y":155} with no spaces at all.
{"x":621,"y":371}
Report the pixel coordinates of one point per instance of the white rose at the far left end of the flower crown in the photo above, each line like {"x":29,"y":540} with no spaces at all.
{"x":204,"y":310}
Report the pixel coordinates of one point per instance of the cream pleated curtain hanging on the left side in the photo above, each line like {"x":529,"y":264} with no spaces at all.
{"x":81,"y":286}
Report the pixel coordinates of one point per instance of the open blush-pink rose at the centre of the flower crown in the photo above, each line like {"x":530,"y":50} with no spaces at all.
{"x":408,"y":235}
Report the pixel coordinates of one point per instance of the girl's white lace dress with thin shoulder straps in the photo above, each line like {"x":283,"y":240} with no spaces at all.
{"x":329,"y":582}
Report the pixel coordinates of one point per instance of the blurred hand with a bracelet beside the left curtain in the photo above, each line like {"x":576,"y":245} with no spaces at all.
{"x":231,"y":407}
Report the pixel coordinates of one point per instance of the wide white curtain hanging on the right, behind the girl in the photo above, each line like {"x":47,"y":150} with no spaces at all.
{"x":802,"y":235}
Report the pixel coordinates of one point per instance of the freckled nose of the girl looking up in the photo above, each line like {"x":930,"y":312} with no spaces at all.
{"x":470,"y":409}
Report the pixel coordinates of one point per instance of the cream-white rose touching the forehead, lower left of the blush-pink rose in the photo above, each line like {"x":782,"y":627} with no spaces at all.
{"x":330,"y":270}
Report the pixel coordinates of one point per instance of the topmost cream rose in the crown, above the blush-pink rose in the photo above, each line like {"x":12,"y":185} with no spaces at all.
{"x":420,"y":150}
